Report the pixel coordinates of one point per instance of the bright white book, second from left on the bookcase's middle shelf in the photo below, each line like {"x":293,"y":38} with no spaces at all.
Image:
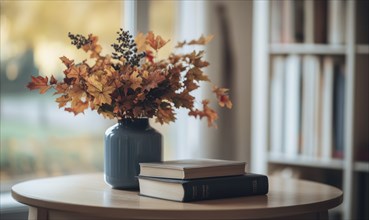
{"x":291,"y":116}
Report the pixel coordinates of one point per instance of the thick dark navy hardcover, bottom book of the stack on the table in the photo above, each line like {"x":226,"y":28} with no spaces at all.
{"x":203,"y":188}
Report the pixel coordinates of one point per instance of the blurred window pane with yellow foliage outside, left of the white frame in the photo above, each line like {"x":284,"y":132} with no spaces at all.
{"x":37,"y":138}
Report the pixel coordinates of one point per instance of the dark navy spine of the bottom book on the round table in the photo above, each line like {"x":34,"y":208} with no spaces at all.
{"x":217,"y":188}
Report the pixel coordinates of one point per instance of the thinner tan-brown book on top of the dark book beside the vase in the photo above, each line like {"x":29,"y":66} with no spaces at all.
{"x":192,"y":168}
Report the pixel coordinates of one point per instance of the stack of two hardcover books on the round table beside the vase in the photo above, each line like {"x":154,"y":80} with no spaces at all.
{"x":200,"y":179}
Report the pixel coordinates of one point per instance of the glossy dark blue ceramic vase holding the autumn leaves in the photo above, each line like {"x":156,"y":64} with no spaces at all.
{"x":128,"y":143}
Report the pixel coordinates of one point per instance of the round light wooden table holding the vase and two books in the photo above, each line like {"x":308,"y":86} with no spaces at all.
{"x":89,"y":197}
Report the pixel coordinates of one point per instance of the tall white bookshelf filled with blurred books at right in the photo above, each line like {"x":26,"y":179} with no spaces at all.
{"x":327,"y":46}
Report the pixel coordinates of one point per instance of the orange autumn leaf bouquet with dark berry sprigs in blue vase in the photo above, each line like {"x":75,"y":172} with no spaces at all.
{"x":131,"y":82}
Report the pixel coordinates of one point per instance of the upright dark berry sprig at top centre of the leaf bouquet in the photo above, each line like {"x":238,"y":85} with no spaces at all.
{"x":127,"y":48}
